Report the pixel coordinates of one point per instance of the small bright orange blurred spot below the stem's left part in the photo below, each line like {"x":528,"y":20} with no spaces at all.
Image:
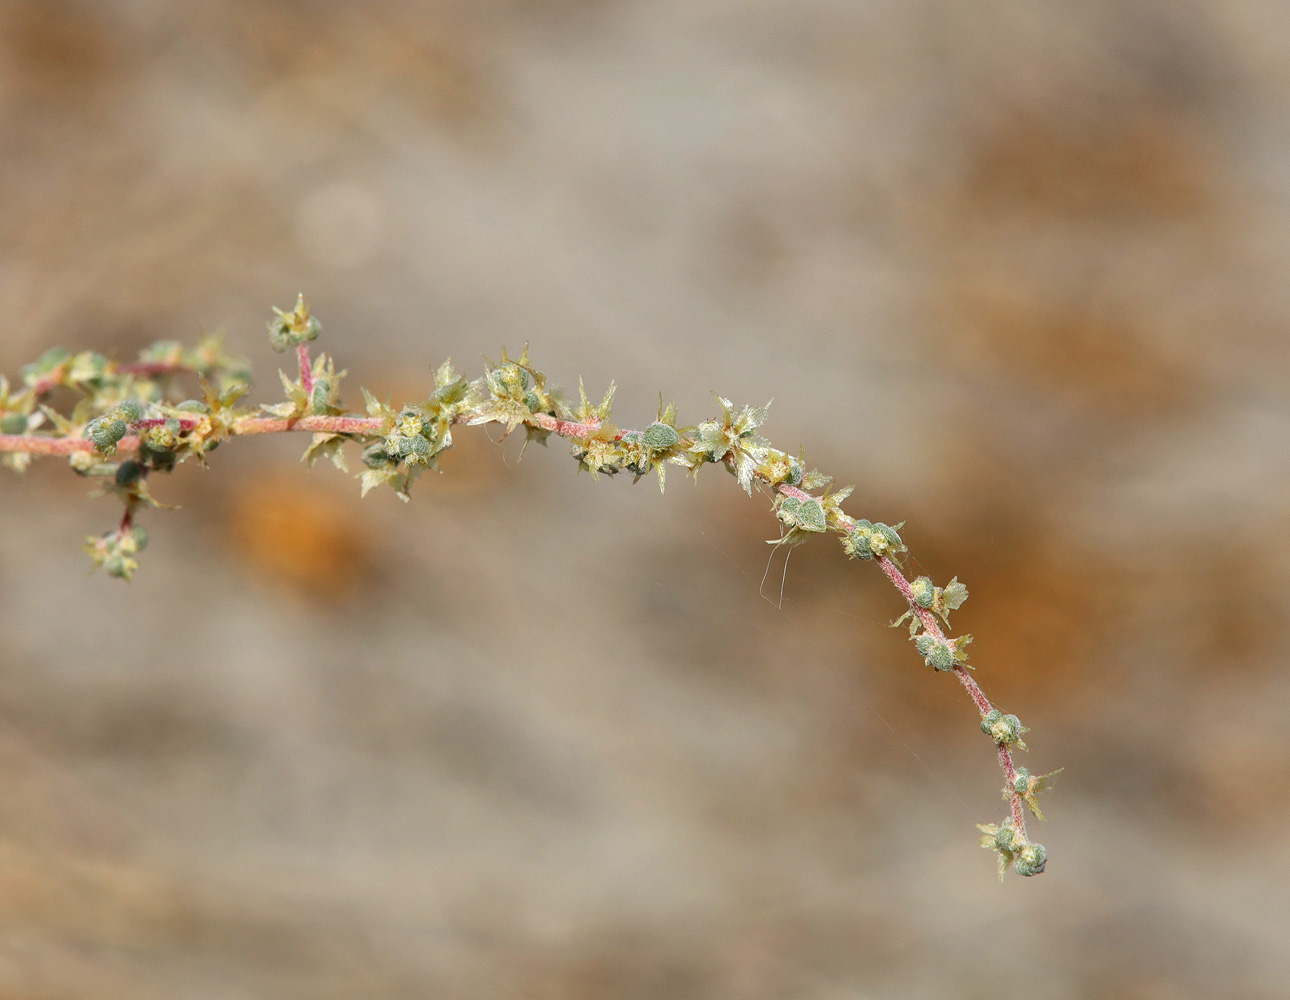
{"x":287,"y":530}
